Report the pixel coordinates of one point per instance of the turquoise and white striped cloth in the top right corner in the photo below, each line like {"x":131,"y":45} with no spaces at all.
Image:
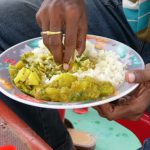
{"x":137,"y":13}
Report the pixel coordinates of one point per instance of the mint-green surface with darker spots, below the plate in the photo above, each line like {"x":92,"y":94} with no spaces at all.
{"x":109,"y":134}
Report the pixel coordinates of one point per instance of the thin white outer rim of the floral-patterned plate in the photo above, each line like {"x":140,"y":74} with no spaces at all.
{"x":70,"y":105}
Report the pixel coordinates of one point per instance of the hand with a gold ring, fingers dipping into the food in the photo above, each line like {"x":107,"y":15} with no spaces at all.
{"x":68,"y":16}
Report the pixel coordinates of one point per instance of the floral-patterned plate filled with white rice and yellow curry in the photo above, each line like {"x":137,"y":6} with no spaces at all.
{"x":28,"y":74}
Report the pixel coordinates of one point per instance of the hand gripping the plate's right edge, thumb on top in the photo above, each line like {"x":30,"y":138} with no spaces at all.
{"x":133,"y":106}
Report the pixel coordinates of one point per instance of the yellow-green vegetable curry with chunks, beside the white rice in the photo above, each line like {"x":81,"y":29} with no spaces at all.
{"x":31,"y":73}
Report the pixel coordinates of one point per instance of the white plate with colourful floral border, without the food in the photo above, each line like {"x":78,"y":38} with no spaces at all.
{"x":13,"y":54}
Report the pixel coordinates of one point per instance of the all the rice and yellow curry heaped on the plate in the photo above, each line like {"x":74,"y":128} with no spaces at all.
{"x":95,"y":74}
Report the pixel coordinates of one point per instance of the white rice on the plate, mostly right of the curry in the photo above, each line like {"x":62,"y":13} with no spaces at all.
{"x":108,"y":67}
